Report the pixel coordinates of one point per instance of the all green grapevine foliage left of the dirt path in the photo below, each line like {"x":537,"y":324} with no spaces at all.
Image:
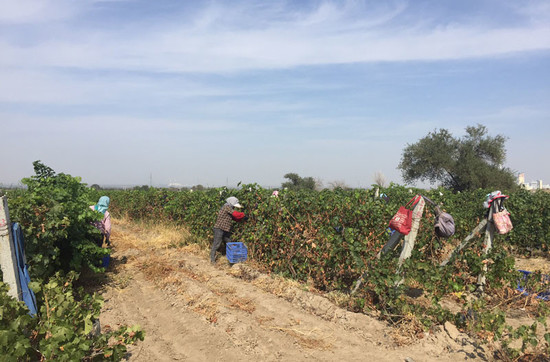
{"x":56,"y":220}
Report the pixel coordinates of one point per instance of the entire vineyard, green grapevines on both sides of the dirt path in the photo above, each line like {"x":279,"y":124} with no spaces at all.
{"x":325,"y":239}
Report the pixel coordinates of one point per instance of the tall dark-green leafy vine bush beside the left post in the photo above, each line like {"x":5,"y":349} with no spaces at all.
{"x":56,"y":220}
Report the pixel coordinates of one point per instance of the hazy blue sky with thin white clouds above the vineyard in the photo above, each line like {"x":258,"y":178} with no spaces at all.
{"x":217,"y":92}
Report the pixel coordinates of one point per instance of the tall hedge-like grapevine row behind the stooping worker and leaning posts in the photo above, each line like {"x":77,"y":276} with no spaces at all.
{"x":331,"y":237}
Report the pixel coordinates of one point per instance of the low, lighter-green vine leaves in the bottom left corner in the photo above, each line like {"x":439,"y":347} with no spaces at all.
{"x":63,"y":328}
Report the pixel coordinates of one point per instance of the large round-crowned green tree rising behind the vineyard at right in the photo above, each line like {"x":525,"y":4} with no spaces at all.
{"x":467,"y":163}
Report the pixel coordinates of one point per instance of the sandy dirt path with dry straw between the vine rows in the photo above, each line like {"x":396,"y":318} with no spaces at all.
{"x":194,"y":311}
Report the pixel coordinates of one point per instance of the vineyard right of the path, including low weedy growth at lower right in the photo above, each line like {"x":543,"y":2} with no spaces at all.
{"x":330,"y":238}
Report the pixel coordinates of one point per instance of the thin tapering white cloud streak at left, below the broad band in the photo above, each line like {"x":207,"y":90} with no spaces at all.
{"x":56,"y":87}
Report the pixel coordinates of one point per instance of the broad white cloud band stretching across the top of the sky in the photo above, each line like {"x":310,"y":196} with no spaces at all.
{"x":328,"y":34}
